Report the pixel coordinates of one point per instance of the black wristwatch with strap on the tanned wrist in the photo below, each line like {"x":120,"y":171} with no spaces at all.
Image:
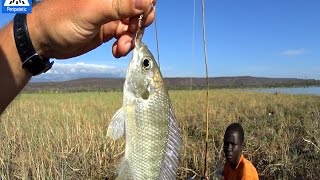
{"x":31,"y":60}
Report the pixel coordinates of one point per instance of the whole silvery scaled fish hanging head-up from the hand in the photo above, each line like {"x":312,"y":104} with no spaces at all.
{"x":146,"y":118}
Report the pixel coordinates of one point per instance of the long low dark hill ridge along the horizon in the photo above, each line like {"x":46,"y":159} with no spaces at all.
{"x":116,"y":84}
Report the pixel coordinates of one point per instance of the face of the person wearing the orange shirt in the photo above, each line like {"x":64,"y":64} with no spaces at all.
{"x":232,"y":148}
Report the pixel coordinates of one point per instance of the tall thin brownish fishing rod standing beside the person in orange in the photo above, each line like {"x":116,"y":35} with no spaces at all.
{"x":205,"y":173}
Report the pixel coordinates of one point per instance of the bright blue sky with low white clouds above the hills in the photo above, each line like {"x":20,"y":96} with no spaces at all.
{"x":265,"y":38}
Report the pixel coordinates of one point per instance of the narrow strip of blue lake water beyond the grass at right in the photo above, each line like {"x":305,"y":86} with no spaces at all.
{"x":298,"y":90}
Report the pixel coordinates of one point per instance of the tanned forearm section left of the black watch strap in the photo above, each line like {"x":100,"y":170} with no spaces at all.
{"x":12,"y":76}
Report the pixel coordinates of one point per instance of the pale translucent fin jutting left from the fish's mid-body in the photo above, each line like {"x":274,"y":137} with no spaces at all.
{"x":116,"y":127}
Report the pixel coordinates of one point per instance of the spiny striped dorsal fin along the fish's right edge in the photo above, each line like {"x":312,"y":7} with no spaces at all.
{"x":171,"y":156}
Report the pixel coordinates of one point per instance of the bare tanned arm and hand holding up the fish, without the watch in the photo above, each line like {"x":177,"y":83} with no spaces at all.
{"x":57,"y":30}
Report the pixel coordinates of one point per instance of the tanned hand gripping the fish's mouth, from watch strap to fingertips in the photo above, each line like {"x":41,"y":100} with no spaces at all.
{"x":67,"y":28}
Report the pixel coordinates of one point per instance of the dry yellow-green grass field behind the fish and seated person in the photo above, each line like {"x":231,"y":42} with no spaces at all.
{"x":63,"y":136}
